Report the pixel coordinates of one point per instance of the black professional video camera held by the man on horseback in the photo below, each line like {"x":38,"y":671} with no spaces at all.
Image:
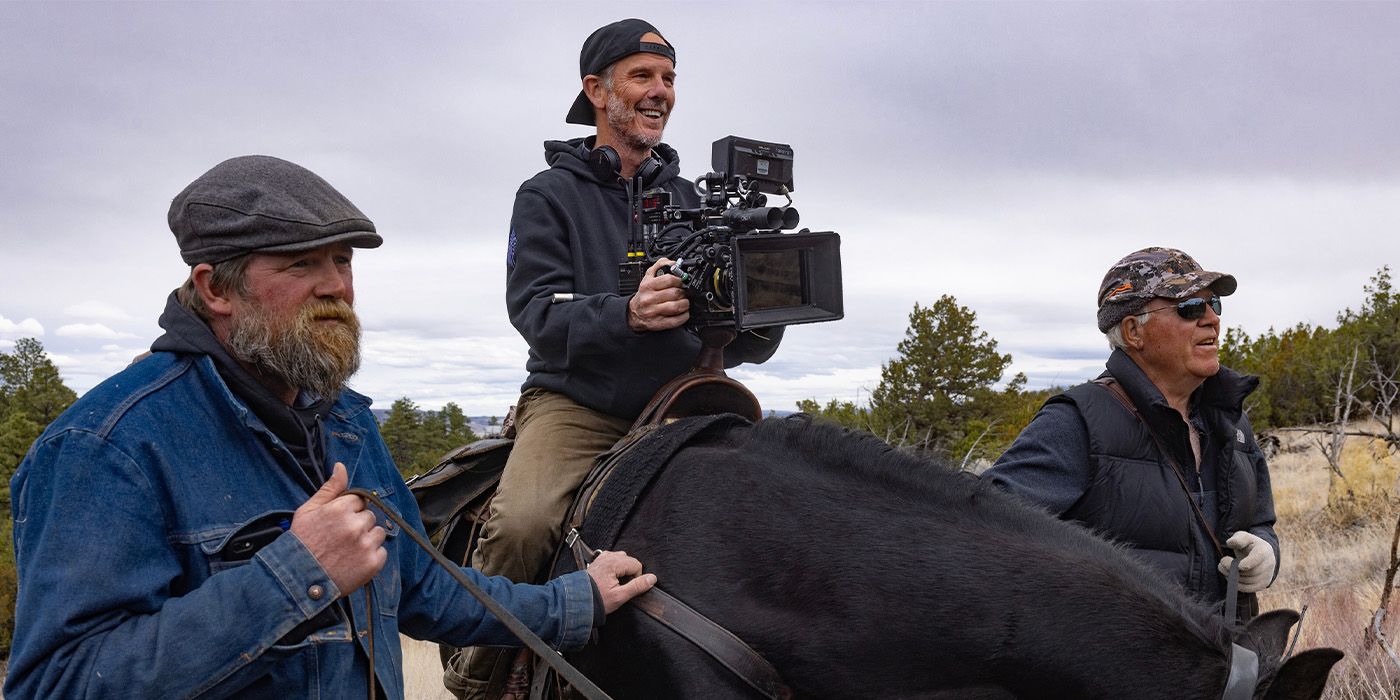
{"x":737,"y":265}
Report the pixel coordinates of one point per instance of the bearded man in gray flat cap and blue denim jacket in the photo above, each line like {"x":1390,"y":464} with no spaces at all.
{"x":184,"y":530}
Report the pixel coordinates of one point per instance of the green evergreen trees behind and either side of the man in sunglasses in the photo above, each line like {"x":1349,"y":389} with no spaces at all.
{"x":940,"y":395}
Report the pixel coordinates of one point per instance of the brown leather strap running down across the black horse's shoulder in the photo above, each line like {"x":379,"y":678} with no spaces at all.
{"x":715,"y":640}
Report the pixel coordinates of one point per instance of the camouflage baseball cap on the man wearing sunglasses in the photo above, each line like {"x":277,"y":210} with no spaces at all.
{"x":1154,"y":272}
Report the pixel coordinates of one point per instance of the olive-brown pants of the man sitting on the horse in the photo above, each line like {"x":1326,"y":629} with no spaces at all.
{"x":556,"y":446}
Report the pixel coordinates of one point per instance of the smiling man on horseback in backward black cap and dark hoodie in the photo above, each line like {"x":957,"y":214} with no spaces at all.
{"x":598,"y":351}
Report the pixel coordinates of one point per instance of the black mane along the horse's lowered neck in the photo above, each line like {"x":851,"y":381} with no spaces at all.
{"x":905,"y":479}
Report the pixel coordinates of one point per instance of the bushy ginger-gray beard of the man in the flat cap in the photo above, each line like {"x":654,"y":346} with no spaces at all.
{"x":304,"y":358}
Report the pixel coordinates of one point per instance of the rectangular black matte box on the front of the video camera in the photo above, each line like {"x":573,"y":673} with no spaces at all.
{"x":786,"y":279}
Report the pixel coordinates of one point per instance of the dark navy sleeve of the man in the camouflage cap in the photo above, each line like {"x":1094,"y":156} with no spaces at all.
{"x":1049,"y":463}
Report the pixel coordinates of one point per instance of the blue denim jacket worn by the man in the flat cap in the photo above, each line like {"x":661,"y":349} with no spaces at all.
{"x":129,"y":586}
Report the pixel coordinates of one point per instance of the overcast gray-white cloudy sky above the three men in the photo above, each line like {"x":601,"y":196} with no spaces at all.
{"x":1003,"y":153}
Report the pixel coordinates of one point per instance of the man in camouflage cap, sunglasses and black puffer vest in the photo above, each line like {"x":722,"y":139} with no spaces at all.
{"x":1157,"y":453}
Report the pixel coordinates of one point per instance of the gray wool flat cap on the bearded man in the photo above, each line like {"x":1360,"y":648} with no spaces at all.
{"x":265,"y":205}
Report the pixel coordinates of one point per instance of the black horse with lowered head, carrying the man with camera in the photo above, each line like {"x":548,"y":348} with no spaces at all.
{"x":859,"y":570}
